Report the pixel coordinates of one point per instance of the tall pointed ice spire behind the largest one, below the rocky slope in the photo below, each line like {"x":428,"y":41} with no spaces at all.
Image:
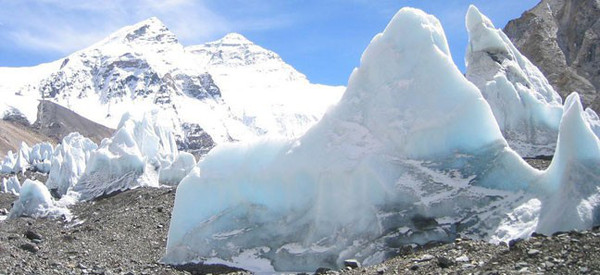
{"x":525,"y":105}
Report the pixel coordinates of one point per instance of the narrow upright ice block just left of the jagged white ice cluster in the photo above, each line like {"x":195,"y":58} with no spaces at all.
{"x":69,"y":162}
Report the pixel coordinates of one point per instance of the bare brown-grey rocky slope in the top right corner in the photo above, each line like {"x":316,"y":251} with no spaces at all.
{"x":562,"y":38}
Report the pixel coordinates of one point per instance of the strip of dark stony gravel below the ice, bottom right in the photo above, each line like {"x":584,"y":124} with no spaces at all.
{"x":565,"y":253}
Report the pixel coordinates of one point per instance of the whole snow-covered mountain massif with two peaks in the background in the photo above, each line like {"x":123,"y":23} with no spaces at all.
{"x":143,"y":67}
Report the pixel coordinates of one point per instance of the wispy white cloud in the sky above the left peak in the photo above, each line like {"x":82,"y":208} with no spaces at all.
{"x":63,"y":26}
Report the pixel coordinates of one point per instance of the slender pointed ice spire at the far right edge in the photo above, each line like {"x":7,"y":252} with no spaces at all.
{"x":573,"y":175}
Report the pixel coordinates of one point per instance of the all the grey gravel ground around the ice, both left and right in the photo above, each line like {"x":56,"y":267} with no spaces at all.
{"x":126,"y":234}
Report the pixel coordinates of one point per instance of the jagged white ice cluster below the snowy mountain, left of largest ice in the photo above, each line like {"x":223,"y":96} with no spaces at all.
{"x":131,"y":158}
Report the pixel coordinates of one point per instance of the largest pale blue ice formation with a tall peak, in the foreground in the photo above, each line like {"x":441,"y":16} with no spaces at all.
{"x":403,"y":158}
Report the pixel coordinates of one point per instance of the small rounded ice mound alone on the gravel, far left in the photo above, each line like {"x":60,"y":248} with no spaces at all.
{"x":35,"y":201}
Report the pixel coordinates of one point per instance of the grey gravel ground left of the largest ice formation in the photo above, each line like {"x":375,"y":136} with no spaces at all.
{"x":122,"y":234}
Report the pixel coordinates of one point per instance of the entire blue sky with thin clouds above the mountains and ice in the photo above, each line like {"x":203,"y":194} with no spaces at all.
{"x":321,"y":38}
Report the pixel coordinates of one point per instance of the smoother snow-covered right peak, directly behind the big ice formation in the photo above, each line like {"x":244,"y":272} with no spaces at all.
{"x":261,"y":88}
